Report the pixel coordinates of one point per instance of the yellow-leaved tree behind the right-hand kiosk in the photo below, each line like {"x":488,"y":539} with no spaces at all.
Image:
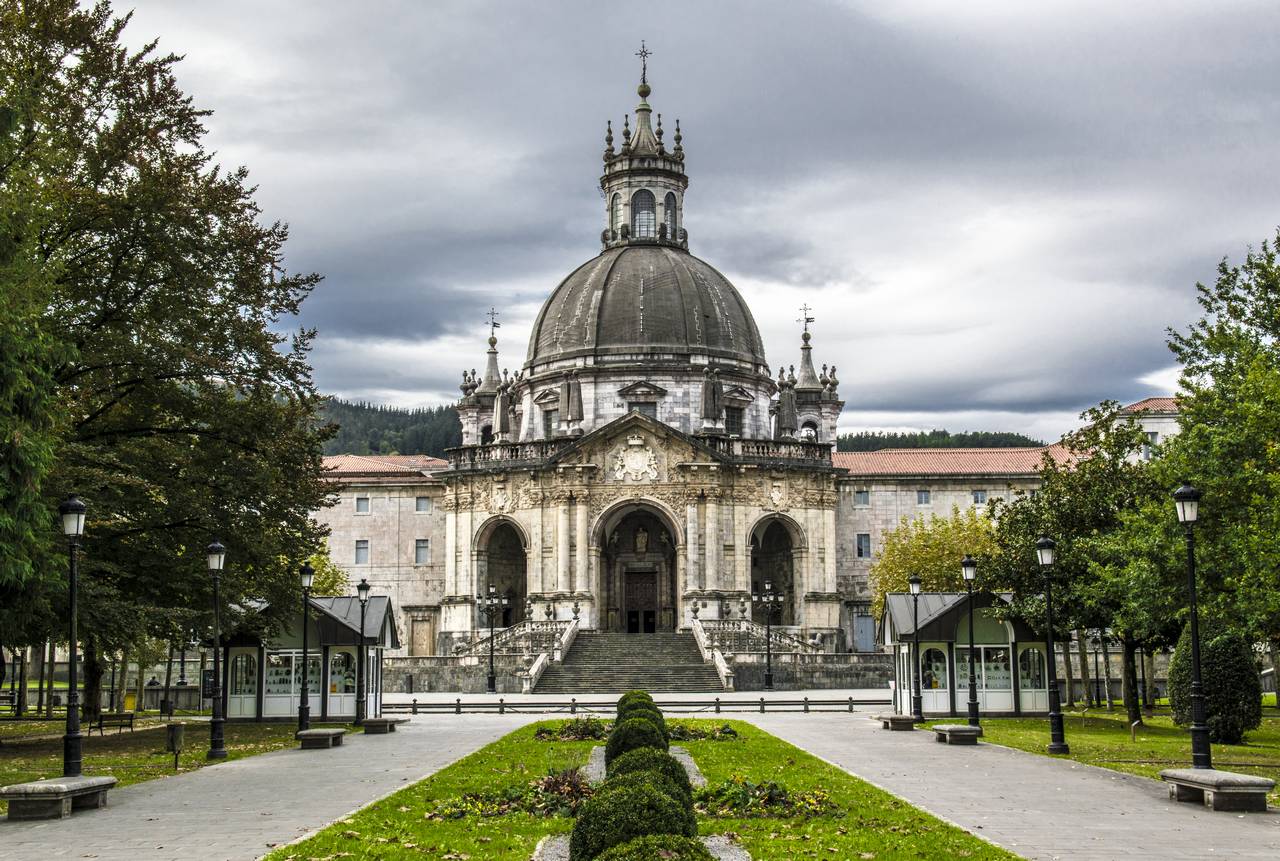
{"x":932,"y":548}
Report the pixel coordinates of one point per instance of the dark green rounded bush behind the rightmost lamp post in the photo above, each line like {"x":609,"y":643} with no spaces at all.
{"x":1233,"y":689}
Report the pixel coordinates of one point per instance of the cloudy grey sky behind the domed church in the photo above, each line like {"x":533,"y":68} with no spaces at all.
{"x":995,"y":208}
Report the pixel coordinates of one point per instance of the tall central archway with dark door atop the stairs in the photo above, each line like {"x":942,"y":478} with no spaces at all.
{"x":638,"y":573}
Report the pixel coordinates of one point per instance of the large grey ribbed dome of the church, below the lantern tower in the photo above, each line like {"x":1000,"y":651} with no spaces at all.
{"x":646,"y":301}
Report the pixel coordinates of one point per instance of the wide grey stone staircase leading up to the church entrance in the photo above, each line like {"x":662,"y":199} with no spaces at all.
{"x":614,"y":663}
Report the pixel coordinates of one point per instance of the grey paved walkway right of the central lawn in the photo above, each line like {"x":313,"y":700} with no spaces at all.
{"x":1036,"y":807}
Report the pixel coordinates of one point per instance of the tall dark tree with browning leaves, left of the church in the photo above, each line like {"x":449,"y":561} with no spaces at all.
{"x":188,"y":415}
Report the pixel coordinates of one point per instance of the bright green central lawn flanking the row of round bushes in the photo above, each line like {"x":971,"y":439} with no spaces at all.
{"x":874,"y":826}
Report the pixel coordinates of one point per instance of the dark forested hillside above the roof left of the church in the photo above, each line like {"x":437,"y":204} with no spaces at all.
{"x":369,"y":429}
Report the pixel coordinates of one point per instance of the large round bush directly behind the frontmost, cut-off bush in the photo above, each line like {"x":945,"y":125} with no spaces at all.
{"x":623,"y":814}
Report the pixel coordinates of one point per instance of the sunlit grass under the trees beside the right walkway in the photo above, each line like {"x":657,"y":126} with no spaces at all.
{"x":1104,"y":740}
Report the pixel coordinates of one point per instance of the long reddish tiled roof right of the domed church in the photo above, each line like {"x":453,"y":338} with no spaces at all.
{"x":949,"y":462}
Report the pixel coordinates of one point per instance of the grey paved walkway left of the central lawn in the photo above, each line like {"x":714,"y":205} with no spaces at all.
{"x":237,"y":812}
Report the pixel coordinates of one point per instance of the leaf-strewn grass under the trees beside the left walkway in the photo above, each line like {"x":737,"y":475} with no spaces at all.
{"x":139,"y":755}
